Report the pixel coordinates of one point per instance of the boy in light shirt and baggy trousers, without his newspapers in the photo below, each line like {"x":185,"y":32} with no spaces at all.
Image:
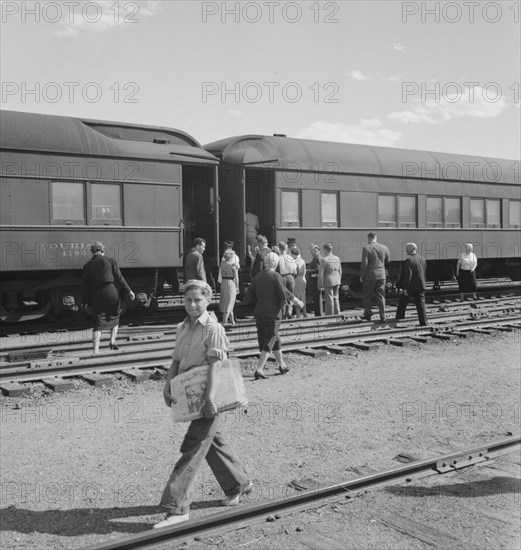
{"x":201,"y":340}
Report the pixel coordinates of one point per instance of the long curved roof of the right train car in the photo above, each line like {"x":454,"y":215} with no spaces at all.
{"x":324,"y":156}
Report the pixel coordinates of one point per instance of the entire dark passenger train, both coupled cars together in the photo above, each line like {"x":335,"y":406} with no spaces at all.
{"x":147,"y":191}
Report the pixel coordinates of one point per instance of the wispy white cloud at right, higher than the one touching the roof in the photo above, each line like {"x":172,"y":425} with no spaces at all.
{"x":447,"y":107}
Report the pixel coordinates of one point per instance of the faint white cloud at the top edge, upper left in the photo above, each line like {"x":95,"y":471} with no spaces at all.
{"x":103,"y":16}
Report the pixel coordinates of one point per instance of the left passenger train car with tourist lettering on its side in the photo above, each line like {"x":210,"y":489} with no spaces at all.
{"x":66,"y":182}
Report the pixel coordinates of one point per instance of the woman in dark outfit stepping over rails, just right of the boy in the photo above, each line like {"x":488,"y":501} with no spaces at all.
{"x":269,"y":294}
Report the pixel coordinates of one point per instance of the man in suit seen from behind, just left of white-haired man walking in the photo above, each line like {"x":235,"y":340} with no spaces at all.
{"x":375,"y":259}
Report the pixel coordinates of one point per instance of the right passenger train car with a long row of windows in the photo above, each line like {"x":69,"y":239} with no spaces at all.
{"x":316,"y":192}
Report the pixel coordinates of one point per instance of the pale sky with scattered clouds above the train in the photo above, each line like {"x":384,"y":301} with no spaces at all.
{"x":436,"y":76}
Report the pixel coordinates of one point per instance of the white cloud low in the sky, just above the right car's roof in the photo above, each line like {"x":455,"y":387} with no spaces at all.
{"x":367,"y":132}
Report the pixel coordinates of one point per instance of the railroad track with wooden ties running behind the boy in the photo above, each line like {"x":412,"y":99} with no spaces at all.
{"x":316,"y":337}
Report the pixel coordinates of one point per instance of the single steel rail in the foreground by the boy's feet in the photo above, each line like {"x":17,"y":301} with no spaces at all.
{"x":422,"y":468}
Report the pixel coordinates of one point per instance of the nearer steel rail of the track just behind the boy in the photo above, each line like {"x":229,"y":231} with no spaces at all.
{"x":342,"y":335}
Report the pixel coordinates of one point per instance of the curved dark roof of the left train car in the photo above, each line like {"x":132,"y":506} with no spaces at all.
{"x":32,"y":132}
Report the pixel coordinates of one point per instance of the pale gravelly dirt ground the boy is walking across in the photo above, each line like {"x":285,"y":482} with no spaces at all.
{"x":89,"y":465}
